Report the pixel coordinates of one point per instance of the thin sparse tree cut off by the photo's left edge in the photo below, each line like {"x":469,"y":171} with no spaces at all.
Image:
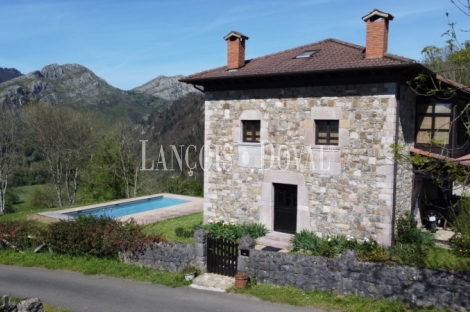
{"x":10,"y":145}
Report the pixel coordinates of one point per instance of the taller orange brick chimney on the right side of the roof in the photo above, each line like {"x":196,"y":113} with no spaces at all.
{"x":377,"y":33}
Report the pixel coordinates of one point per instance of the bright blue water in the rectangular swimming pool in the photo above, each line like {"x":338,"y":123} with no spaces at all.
{"x":124,"y":209}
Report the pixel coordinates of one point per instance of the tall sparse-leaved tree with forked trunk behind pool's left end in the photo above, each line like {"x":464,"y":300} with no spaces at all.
{"x":64,"y":138}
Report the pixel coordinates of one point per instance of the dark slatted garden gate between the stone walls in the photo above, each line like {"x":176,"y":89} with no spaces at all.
{"x":222,"y":256}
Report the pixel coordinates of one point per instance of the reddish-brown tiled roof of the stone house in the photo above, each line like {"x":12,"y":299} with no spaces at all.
{"x":333,"y":55}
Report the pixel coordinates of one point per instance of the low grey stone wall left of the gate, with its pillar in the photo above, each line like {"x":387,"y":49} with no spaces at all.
{"x":171,"y":256}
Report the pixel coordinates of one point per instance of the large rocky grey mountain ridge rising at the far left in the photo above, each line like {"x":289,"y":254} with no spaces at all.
{"x":77,"y":86}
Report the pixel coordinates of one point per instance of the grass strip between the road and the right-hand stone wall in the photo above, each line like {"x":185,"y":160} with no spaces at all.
{"x":323,"y":300}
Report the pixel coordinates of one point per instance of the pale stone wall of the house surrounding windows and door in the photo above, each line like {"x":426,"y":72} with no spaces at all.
{"x":348,"y":189}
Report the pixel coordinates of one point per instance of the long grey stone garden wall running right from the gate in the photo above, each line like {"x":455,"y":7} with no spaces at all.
{"x":347,"y":275}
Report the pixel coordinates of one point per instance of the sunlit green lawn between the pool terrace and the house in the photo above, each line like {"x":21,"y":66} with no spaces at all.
{"x":167,"y":227}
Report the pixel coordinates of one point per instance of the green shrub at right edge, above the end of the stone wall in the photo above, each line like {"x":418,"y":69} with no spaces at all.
{"x":460,"y":243}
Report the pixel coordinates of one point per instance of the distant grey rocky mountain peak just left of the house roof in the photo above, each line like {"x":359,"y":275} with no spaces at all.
{"x":168,"y":88}
